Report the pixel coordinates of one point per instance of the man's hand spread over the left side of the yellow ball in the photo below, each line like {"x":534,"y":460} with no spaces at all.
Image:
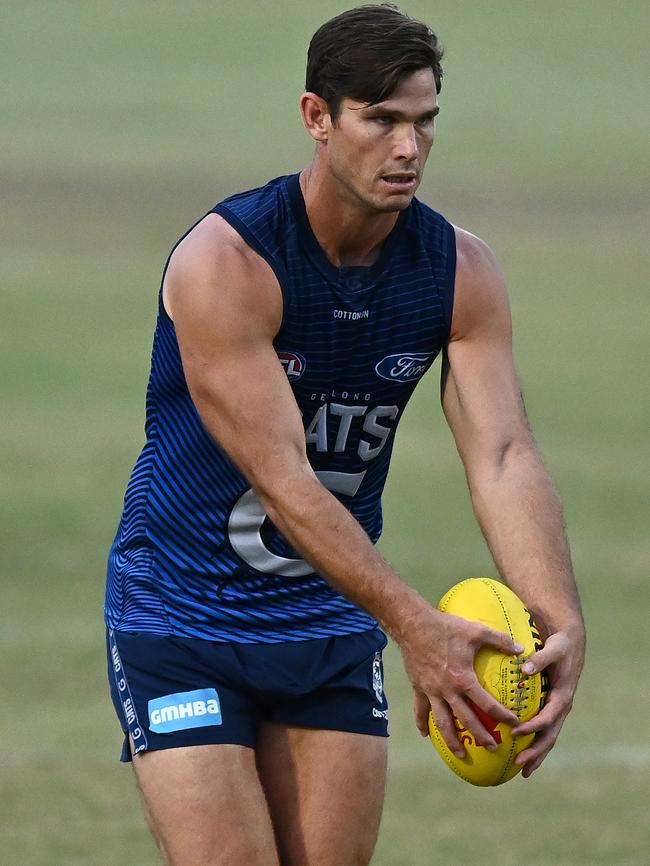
{"x":438,"y":653}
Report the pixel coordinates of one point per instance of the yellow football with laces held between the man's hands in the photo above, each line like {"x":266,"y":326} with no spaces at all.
{"x":495,"y":605}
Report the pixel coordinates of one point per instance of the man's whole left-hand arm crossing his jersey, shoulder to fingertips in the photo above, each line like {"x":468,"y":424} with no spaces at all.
{"x":227,"y":308}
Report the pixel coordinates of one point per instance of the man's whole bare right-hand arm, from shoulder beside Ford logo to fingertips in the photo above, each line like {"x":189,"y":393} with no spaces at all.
{"x":512,"y":494}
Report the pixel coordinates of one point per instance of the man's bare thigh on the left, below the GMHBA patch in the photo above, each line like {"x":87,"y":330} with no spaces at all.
{"x":206,"y":807}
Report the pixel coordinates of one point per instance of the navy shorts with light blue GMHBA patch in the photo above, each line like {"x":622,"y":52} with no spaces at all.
{"x":171,"y":691}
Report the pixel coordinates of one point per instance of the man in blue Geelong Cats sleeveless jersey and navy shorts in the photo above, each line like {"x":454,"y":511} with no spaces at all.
{"x":244,"y":589}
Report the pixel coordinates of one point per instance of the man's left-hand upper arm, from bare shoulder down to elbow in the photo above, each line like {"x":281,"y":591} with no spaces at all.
{"x":227,"y":309}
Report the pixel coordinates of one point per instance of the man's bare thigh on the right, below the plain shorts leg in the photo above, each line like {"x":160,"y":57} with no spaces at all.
{"x":325,"y":791}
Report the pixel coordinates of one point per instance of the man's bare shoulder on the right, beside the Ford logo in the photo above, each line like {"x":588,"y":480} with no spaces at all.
{"x":481,"y":297}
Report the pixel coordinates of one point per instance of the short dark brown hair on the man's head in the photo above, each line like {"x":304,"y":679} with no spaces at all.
{"x":364,"y":53}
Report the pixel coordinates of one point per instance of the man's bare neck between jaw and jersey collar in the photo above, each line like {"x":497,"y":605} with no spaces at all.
{"x":348,"y":233}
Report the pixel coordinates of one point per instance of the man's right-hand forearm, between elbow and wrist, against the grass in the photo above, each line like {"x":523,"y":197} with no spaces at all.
{"x":520,"y":515}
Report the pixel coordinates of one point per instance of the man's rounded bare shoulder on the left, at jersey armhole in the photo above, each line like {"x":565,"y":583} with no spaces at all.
{"x":213,"y":267}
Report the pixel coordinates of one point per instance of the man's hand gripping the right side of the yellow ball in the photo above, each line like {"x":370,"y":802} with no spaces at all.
{"x":563,"y":654}
